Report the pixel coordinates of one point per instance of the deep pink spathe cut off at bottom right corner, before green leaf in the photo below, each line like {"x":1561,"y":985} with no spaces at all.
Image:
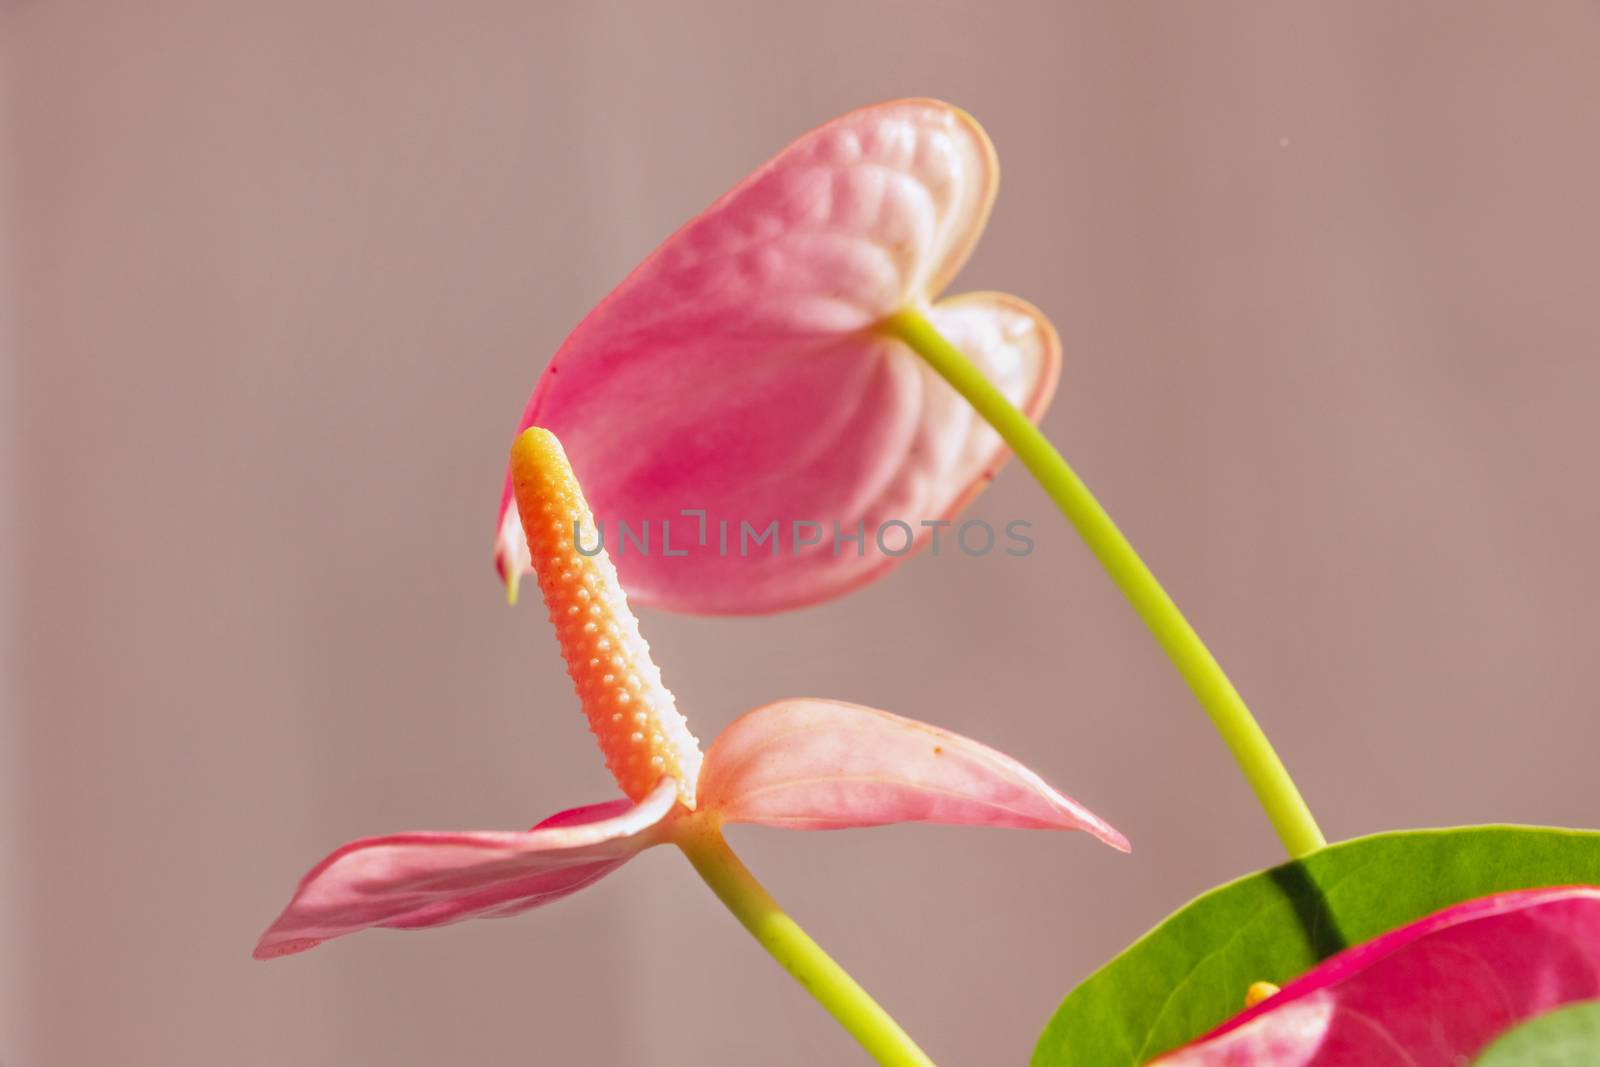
{"x":1426,"y":996}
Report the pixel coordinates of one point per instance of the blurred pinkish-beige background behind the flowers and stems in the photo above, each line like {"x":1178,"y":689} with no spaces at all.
{"x":279,"y":279}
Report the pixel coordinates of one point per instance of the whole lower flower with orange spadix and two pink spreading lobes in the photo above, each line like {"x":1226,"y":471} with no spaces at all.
{"x":809,"y":765}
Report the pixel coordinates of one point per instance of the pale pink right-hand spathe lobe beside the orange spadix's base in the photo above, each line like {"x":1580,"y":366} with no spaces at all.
{"x":823,"y":765}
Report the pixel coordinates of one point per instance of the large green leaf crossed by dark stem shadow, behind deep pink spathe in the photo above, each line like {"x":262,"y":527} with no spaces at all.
{"x":1191,"y":973}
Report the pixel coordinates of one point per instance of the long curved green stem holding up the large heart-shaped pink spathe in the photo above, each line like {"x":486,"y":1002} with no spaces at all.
{"x":1252,"y":751}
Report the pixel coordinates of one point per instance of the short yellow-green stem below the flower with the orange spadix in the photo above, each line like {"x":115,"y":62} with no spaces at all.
{"x":702,"y":841}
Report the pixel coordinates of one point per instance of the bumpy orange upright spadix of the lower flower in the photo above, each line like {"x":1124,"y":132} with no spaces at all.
{"x":631,"y":713}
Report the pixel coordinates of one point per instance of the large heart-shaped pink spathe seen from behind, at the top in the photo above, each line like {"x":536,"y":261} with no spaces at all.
{"x":742,"y":374}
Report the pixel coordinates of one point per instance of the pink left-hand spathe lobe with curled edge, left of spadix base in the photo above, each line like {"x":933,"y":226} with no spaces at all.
{"x":410,"y":881}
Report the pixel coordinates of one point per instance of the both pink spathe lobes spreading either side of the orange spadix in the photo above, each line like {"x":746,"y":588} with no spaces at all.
{"x":806,"y":765}
